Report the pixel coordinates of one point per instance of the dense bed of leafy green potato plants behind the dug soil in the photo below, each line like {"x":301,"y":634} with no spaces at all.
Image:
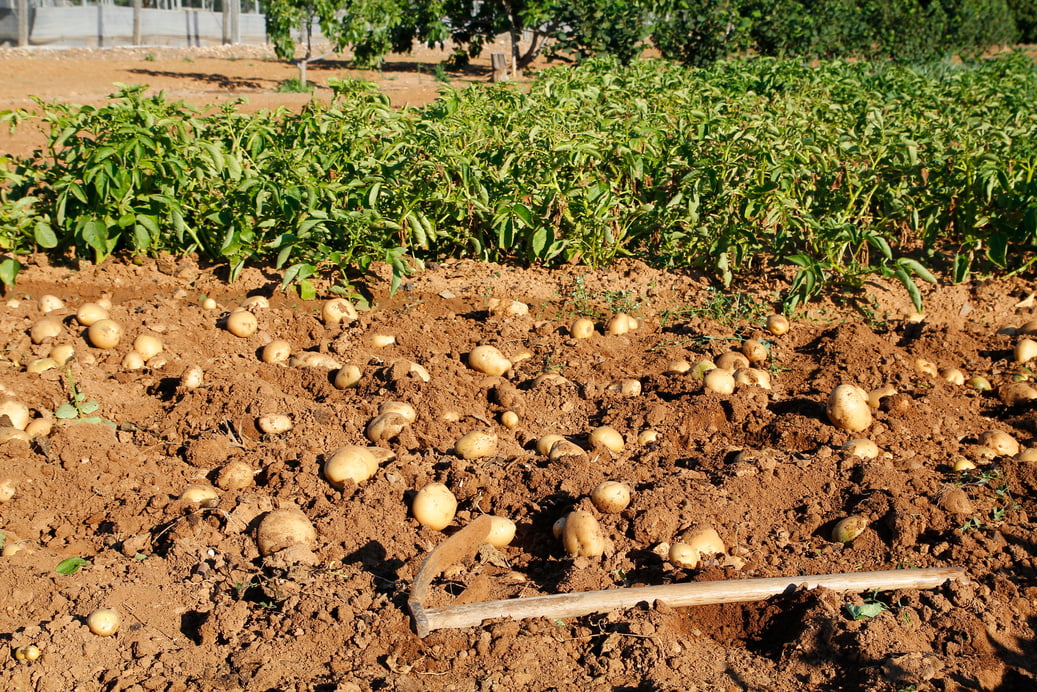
{"x":839,"y":172}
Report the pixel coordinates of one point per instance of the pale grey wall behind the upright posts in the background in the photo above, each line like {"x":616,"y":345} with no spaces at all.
{"x":109,"y":25}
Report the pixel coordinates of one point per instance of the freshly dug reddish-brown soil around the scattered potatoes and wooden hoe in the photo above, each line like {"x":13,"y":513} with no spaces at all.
{"x":202,"y":610}
